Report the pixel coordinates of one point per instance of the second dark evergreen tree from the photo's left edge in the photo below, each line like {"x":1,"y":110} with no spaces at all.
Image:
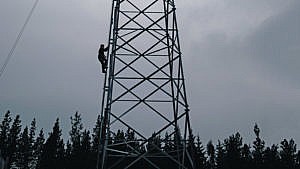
{"x":13,"y":141}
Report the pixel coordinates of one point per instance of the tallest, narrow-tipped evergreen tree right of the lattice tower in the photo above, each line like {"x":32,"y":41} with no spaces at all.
{"x":258,"y":153}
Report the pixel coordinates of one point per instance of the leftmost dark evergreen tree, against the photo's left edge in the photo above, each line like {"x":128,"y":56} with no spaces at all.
{"x":4,"y":134}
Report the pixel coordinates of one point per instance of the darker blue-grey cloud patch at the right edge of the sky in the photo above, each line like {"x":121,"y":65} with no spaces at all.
{"x":275,"y":45}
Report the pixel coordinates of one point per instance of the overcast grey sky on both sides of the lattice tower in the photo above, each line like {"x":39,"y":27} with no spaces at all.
{"x":241,"y":61}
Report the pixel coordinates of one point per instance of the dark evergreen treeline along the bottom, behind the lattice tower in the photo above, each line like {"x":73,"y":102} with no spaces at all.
{"x":27,"y":148}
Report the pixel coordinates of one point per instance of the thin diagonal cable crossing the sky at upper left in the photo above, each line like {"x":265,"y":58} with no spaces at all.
{"x":11,"y":52}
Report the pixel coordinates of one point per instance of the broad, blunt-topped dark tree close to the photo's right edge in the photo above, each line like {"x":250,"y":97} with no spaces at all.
{"x":288,"y":154}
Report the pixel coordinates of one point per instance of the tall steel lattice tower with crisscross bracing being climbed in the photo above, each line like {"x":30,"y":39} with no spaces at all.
{"x":144,"y":90}
